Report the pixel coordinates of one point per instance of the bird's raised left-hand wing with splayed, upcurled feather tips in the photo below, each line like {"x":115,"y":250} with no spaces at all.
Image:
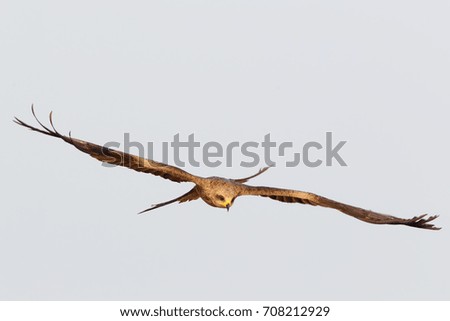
{"x":115,"y":157}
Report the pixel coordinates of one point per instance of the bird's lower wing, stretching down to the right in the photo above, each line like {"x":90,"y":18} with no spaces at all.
{"x":292,"y":196}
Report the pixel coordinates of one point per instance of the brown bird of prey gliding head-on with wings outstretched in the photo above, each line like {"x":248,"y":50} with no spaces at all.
{"x":221,"y":192}
